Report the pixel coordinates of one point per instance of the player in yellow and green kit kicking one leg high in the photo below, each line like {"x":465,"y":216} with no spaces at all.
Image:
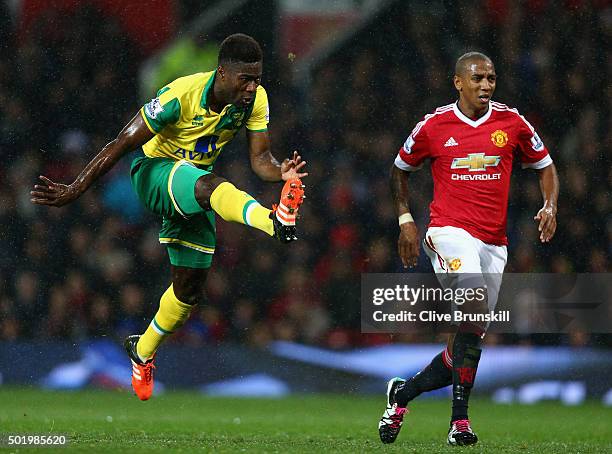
{"x":181,"y":133}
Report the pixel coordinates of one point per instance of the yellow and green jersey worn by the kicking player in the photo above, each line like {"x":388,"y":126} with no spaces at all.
{"x":186,"y":128}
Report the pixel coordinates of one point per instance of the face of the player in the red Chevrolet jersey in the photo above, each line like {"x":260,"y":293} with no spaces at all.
{"x":476,"y":84}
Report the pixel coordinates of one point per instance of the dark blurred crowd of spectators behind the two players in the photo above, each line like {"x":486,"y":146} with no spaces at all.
{"x":95,"y":268}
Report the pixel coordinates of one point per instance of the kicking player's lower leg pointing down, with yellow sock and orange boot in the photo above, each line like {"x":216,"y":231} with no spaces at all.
{"x":175,"y":306}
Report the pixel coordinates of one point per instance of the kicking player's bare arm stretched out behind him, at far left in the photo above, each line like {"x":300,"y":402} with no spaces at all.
{"x":133,"y":135}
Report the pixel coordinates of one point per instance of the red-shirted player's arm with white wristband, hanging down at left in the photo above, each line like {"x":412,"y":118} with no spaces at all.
{"x":408,"y":242}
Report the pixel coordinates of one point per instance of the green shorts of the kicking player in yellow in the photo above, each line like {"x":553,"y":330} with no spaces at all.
{"x":167,"y":188}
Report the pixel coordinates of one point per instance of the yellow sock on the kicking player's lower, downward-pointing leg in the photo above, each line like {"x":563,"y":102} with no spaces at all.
{"x":171,"y":315}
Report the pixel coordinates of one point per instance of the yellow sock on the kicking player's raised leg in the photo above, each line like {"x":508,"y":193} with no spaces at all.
{"x":235,"y":205}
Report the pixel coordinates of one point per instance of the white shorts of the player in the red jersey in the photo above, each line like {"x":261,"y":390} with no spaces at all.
{"x":453,"y":251}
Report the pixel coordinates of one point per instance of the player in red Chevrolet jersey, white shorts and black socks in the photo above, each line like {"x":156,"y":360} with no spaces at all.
{"x":471,"y":145}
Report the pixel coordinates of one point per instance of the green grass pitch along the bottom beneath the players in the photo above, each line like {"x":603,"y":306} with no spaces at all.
{"x":115,"y":421}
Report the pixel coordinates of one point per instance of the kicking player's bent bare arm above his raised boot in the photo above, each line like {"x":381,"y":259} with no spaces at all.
{"x":266,"y":166}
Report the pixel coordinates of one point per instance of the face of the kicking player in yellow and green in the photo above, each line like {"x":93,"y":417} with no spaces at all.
{"x":241,"y":81}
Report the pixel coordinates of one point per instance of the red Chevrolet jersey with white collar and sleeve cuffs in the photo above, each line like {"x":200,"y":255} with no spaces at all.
{"x":471,"y":163}
